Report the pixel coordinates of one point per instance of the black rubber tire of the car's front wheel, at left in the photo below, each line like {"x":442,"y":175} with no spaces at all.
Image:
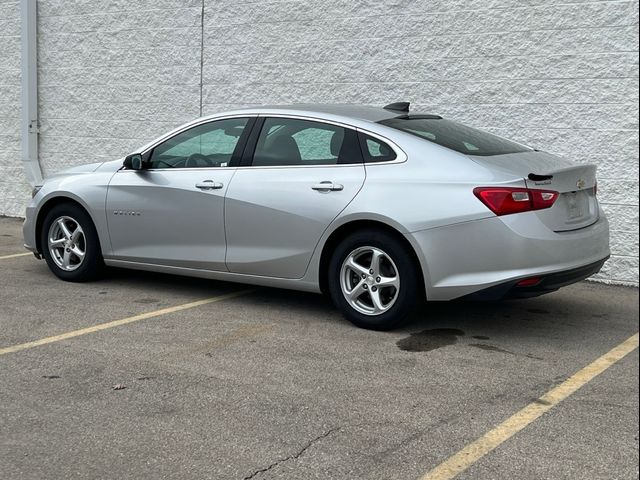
{"x":89,"y":267}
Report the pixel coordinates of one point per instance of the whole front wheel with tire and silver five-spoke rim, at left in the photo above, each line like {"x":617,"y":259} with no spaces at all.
{"x":70,"y":244}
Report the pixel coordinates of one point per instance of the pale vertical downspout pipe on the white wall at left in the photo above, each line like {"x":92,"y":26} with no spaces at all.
{"x":30,"y":127}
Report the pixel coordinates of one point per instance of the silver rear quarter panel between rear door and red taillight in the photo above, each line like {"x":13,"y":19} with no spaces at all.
{"x":432,"y":188}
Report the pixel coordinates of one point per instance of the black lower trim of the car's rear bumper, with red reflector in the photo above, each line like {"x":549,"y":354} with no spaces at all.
{"x":548,"y":283}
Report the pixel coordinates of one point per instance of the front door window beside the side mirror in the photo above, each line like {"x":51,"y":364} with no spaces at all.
{"x":211,"y":144}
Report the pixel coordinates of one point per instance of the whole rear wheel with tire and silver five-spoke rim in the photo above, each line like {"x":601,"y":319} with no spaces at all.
{"x":373,"y":279}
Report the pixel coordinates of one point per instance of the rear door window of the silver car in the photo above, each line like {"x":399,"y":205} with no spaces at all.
{"x":288,"y":141}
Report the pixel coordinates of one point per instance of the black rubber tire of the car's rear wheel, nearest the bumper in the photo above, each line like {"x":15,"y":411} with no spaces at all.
{"x":407,"y":270}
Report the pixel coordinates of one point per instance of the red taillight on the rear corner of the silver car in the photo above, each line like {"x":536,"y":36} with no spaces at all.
{"x":506,"y":200}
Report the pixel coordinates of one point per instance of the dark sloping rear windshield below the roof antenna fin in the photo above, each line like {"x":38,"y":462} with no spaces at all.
{"x":455,"y":136}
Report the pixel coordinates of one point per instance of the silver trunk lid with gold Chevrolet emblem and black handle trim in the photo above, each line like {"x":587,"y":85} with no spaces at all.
{"x":576,"y":206}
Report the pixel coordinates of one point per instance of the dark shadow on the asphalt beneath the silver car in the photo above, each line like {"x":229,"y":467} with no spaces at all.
{"x":564,"y":311}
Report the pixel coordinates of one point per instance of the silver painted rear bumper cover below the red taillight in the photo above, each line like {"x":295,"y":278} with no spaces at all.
{"x":465,"y":258}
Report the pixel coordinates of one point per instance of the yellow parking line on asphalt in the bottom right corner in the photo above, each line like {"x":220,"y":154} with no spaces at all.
{"x":473,"y":452}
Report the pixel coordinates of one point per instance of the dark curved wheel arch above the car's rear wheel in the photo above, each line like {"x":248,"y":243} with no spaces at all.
{"x":350,"y":227}
